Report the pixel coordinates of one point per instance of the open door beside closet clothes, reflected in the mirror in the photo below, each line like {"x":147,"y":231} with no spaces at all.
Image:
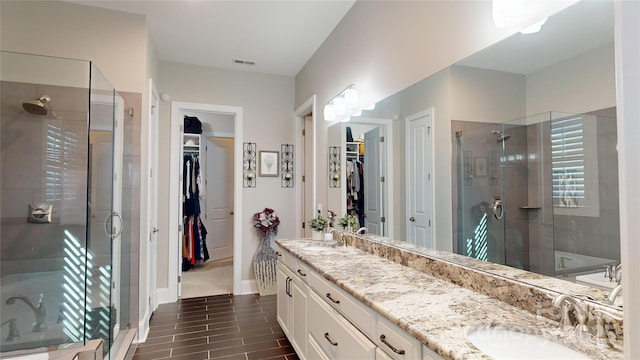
{"x":373,"y":182}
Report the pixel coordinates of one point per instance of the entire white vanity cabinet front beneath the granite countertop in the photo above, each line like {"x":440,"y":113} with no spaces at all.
{"x":324,"y":322}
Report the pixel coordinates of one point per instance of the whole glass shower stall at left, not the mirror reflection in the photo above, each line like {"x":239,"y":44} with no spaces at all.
{"x":62,"y":255}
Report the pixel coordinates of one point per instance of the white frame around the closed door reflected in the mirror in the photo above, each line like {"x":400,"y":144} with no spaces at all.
{"x":428,"y":112}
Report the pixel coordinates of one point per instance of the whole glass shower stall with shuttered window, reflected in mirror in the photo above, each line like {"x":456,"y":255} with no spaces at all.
{"x":540,"y":193}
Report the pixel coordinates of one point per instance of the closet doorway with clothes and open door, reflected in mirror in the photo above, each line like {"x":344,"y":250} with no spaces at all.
{"x":362,"y":188}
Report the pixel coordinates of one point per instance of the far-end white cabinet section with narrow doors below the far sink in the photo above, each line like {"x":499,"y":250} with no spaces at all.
{"x":292,"y":303}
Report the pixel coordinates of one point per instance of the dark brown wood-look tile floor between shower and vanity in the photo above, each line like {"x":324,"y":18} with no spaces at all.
{"x":225,"y":327}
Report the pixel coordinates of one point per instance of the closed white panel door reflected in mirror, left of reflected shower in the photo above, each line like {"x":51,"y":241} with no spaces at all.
{"x":419,"y":182}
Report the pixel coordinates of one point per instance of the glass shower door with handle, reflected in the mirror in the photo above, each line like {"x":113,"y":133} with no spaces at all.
{"x":481,"y":224}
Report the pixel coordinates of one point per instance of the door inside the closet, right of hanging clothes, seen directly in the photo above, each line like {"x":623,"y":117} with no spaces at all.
{"x":218,"y":217}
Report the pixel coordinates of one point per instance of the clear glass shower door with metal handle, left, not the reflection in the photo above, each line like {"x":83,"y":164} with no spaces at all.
{"x":105,"y":223}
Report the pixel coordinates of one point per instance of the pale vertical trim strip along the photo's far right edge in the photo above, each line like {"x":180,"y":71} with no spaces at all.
{"x":627,"y":57}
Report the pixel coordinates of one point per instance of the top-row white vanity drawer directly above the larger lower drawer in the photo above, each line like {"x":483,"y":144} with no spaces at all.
{"x":361,"y":316}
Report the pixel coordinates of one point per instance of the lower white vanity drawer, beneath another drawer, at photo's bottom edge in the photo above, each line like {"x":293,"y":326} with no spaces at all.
{"x":335,"y":336}
